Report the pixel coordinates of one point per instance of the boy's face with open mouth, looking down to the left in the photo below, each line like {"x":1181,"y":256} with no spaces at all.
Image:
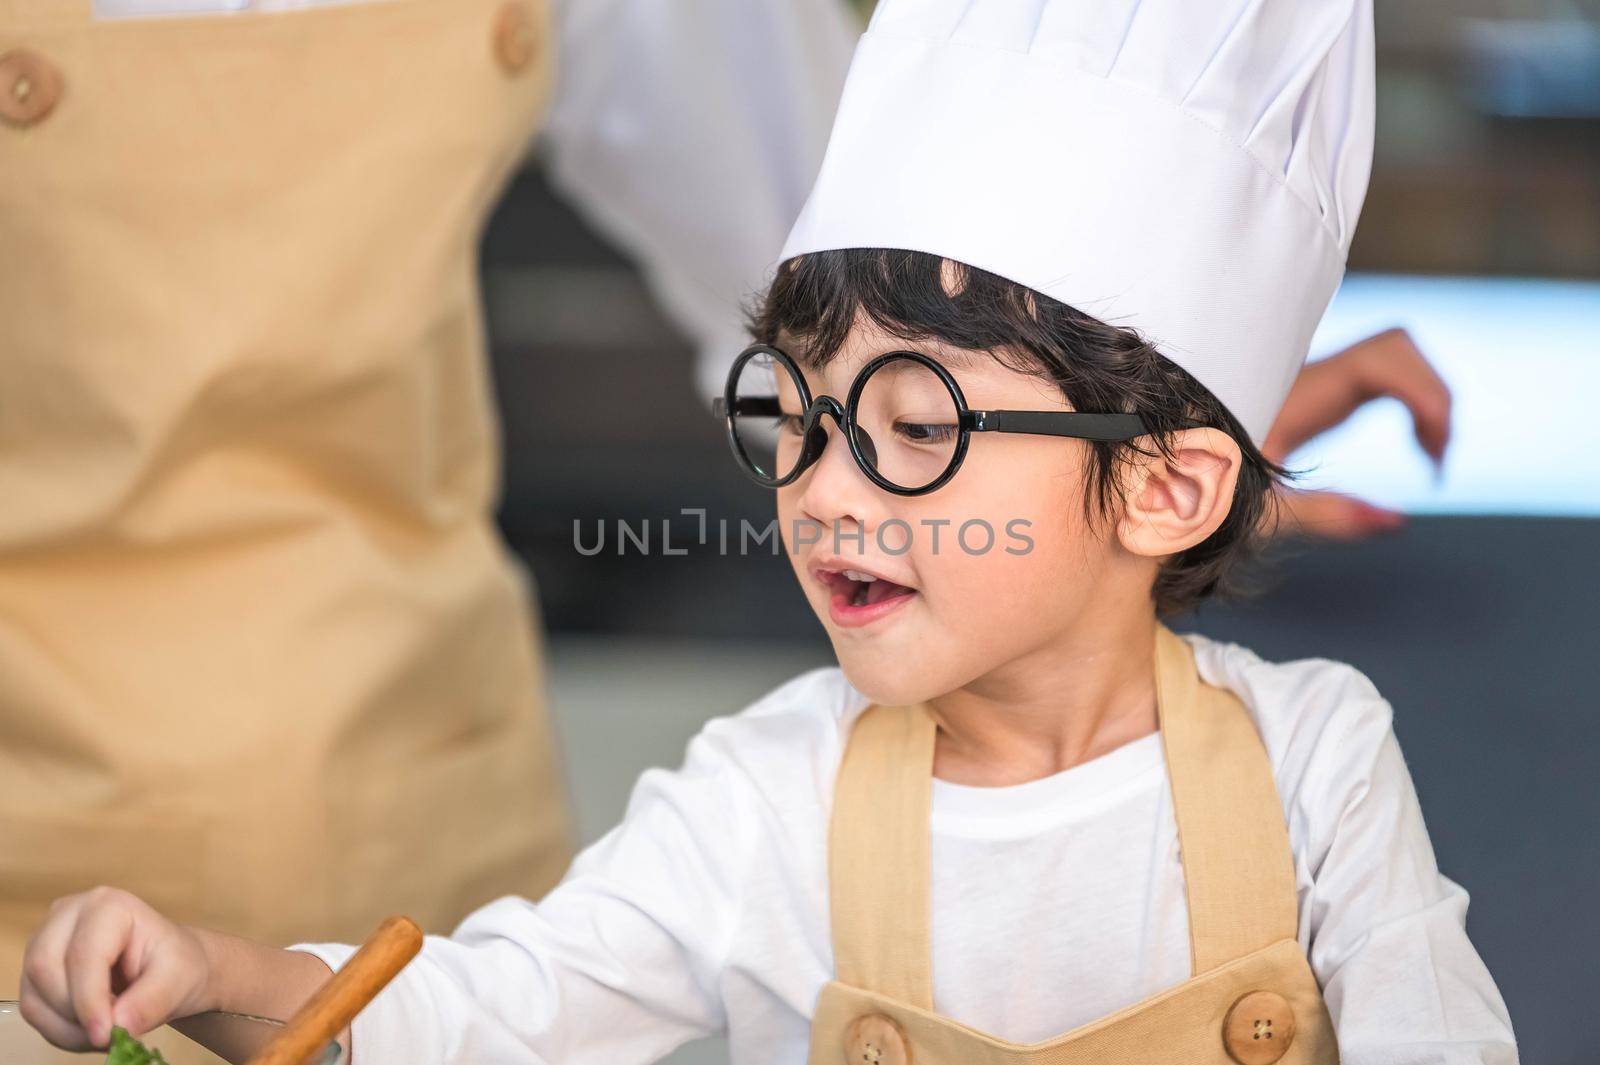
{"x":964,"y":607}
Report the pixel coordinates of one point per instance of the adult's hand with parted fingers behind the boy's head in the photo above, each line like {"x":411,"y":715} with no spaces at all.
{"x":1326,"y":394}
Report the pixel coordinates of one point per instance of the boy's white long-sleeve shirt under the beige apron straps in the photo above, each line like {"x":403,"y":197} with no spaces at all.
{"x":1054,"y":903}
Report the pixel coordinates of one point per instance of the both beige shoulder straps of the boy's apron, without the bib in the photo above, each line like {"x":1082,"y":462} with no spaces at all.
{"x":1239,"y":874}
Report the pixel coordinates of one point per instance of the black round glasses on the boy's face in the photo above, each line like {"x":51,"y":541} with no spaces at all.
{"x":905,"y":420}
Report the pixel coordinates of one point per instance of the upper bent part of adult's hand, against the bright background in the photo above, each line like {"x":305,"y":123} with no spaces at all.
{"x":1332,"y":389}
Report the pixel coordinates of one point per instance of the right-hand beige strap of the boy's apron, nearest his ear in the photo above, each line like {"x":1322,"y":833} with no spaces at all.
{"x":1239,"y":872}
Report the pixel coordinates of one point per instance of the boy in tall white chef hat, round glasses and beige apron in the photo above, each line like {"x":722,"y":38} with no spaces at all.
{"x":1055,"y":279}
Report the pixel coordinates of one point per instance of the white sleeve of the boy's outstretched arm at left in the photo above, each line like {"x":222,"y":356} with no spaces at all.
{"x":620,"y":963}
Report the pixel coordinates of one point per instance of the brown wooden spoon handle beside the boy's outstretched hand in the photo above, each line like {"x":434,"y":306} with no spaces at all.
{"x":335,"y":1005}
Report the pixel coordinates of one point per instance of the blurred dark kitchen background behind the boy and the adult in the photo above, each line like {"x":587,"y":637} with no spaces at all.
{"x":1478,"y":621}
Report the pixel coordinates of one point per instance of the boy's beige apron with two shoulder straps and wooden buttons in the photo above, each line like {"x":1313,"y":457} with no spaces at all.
{"x":1254,"y":999}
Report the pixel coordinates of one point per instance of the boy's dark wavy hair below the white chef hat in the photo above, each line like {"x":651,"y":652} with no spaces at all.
{"x":916,"y":297}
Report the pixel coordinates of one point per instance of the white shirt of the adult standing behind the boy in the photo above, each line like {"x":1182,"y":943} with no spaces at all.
{"x":687,"y":132}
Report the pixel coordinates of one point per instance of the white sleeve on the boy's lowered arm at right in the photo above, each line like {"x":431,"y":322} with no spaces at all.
{"x":1388,"y":930}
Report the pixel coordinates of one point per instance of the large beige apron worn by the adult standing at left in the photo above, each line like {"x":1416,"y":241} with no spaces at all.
{"x":263,"y":658}
